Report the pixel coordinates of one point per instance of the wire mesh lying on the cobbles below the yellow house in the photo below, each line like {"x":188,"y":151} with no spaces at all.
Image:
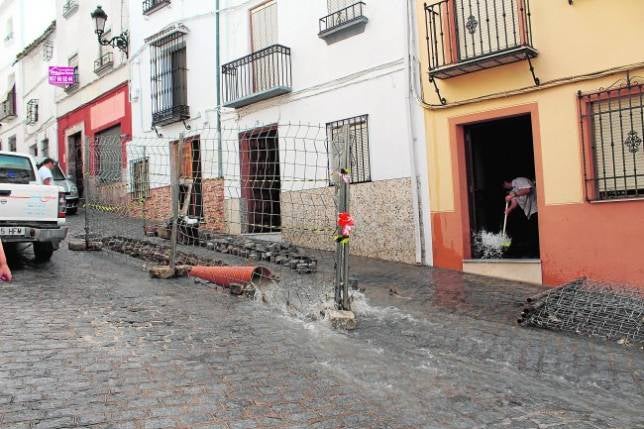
{"x":589,"y":308}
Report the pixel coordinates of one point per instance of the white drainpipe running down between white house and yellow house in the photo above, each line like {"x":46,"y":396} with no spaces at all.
{"x":416,"y":182}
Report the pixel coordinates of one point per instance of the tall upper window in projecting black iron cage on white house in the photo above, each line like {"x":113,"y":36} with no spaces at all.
{"x":169,"y":80}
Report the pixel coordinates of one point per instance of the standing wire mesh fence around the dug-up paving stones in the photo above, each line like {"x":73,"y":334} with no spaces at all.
{"x":232,"y":198}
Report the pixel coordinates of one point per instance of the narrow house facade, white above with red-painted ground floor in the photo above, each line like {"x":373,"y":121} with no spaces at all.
{"x":97,"y":104}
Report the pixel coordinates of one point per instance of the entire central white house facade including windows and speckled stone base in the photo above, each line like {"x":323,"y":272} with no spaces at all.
{"x":291,"y":75}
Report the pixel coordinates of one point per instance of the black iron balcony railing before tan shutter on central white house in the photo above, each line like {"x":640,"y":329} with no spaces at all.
{"x":258,"y":76}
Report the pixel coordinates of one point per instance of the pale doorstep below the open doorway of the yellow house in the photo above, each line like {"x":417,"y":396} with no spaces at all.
{"x":522,"y":270}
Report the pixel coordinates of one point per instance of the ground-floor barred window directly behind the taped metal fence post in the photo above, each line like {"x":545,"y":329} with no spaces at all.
{"x":358,"y":143}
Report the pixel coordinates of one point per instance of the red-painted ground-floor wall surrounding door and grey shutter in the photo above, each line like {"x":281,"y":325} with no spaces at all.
{"x":83,"y":115}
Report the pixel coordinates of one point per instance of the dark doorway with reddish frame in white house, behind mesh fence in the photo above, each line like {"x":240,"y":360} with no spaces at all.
{"x":260,"y":180}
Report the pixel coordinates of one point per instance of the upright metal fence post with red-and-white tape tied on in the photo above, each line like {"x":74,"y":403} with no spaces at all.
{"x":343,"y":148}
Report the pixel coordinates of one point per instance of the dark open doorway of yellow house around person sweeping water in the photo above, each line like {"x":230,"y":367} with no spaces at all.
{"x":496,"y":151}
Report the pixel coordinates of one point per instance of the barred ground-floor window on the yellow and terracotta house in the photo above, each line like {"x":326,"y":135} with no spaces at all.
{"x":613,"y":123}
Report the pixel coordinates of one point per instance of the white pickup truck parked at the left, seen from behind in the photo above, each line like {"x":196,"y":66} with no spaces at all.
{"x":30,"y":212}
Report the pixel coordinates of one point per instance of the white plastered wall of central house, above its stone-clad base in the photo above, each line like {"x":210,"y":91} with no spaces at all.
{"x":366,"y":73}
